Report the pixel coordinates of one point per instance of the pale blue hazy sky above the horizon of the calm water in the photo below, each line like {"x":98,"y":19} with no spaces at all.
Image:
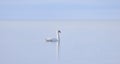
{"x":59,"y":9}
